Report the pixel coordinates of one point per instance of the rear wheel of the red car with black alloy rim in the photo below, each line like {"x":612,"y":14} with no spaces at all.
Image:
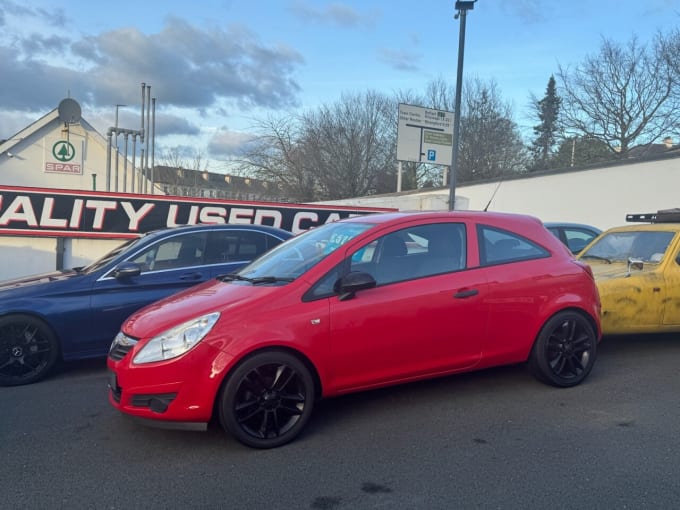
{"x":565,"y":350}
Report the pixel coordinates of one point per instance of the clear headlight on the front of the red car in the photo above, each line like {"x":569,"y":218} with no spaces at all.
{"x":176,"y":341}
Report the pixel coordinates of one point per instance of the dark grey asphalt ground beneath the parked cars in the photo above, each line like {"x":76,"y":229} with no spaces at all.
{"x":491,"y":439}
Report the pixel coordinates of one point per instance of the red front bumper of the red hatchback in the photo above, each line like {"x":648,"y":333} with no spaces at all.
{"x":180,"y":391}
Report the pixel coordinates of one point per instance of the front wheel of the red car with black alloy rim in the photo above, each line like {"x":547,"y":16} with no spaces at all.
{"x":267,"y":400}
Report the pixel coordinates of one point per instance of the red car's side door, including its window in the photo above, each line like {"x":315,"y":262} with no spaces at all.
{"x":416,"y":321}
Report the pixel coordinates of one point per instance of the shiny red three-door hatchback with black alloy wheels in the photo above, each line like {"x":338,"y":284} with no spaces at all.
{"x":361,"y":303}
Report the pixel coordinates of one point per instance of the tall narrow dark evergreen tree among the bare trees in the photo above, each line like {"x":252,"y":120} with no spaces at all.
{"x":547,"y":111}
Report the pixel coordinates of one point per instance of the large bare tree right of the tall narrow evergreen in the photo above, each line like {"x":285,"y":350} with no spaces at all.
{"x":622,"y":96}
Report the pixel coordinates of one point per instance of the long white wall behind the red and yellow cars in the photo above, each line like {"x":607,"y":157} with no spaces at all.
{"x":600,"y":196}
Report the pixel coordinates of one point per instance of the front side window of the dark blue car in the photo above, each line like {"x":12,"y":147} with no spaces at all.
{"x":172,"y":253}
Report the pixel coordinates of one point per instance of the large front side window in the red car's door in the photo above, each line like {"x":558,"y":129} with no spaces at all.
{"x":413,"y":252}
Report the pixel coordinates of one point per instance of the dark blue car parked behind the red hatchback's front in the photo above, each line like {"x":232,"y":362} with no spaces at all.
{"x":75,"y":314}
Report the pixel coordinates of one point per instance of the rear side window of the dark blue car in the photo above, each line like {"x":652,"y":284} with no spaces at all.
{"x":237,"y":246}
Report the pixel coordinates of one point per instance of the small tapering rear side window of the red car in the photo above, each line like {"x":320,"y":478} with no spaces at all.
{"x":500,"y":246}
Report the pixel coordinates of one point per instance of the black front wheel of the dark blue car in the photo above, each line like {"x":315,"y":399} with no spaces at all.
{"x":28,"y":350}
